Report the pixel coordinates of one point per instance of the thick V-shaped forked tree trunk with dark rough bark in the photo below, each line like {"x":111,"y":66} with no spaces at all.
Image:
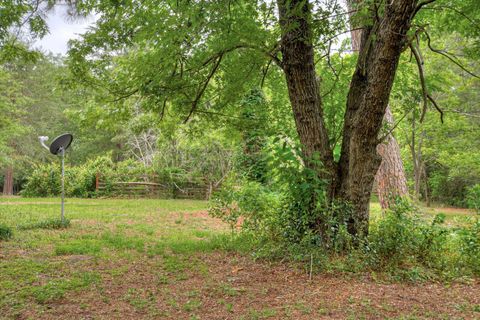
{"x":352,"y":178}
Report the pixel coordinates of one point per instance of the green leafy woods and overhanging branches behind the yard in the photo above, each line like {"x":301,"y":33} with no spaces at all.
{"x":124,"y":105}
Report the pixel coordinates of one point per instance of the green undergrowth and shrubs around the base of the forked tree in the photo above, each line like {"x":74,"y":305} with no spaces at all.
{"x":284,"y":223}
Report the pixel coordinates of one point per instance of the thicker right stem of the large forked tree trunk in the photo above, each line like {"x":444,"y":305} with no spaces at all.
{"x":380,"y":49}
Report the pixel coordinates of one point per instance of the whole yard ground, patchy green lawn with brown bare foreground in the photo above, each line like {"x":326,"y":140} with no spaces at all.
{"x":167,"y":259}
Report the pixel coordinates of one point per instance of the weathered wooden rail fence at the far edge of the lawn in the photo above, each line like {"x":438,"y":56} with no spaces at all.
{"x":152,"y":187}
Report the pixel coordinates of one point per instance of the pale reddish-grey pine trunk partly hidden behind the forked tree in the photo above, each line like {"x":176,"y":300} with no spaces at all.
{"x":390,"y":179}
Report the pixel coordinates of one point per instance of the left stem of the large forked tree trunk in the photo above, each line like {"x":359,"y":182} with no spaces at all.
{"x":303,"y":88}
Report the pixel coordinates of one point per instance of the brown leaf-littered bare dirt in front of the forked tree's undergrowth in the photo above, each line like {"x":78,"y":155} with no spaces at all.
{"x":222,"y":286}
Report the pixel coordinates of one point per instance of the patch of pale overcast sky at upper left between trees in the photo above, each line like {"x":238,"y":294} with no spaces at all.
{"x":62,"y":29}
